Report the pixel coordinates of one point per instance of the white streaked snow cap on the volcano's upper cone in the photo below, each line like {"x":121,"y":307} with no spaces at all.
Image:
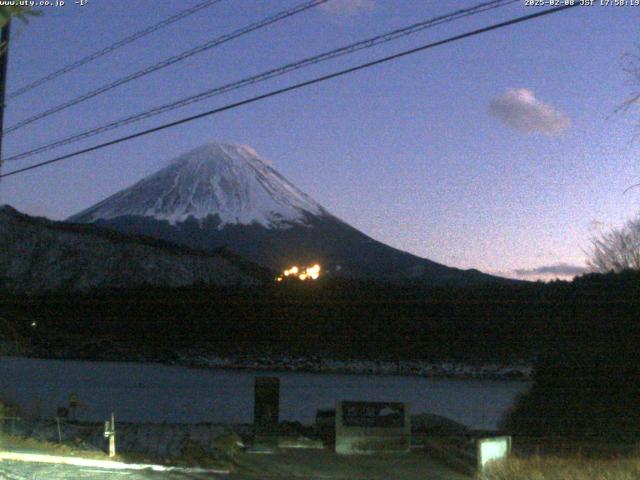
{"x":230,"y":181}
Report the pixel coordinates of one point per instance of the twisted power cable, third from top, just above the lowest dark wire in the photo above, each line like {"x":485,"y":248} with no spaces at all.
{"x":351,"y":48}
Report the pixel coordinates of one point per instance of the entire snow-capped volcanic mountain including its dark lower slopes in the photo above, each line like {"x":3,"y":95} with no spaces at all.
{"x":223,"y":195}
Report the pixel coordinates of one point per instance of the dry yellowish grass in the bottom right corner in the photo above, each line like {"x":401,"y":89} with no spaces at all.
{"x":555,"y":468}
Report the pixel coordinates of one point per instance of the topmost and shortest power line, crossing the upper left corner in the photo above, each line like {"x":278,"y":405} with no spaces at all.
{"x":114,"y":46}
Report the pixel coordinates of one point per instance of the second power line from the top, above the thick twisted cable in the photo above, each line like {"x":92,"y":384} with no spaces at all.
{"x":170,"y":61}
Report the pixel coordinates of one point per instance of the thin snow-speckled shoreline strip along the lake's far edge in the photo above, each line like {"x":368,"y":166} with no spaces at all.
{"x":451,"y":370}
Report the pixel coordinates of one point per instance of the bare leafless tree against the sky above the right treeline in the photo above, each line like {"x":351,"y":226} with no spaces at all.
{"x":617,"y":250}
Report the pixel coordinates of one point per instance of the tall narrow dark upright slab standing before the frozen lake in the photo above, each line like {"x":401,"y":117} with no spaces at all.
{"x":266,"y":412}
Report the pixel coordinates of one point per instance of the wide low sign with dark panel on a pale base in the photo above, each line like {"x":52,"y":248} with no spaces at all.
{"x":372,"y":427}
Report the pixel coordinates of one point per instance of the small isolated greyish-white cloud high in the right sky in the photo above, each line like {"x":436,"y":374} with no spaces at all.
{"x":519,"y":108}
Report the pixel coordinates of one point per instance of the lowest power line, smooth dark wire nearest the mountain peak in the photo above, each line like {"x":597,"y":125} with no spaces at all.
{"x":296,"y":86}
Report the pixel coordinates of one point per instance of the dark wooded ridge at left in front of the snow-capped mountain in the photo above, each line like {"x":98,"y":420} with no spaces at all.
{"x":38,"y":255}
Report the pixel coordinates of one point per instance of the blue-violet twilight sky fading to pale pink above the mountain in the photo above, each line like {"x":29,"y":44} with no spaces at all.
{"x":497,"y":152}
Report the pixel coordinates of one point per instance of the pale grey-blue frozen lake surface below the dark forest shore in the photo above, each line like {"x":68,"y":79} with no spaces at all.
{"x":156,"y":393}
